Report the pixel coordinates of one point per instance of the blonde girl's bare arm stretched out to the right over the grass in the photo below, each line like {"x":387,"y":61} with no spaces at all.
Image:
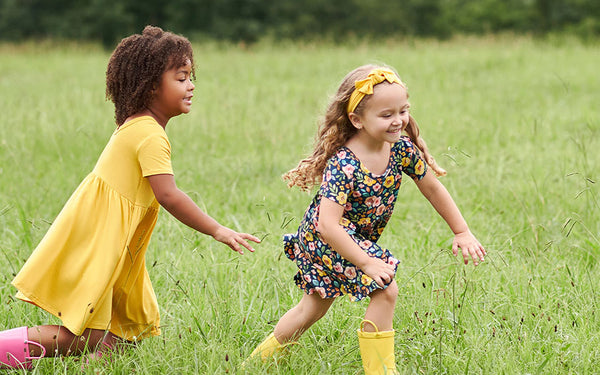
{"x":440,"y":199}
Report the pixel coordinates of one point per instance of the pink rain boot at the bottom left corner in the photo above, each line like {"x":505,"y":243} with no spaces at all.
{"x":14,"y":349}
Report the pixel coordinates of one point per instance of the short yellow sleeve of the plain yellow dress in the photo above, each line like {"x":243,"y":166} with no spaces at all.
{"x":154,"y":155}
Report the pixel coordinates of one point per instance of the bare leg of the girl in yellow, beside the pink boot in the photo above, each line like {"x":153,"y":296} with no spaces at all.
{"x":59,"y":341}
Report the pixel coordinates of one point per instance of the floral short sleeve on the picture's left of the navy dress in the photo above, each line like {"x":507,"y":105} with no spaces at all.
{"x":338,"y":178}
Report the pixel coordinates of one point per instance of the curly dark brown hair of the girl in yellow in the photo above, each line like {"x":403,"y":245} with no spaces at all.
{"x":137,"y":64}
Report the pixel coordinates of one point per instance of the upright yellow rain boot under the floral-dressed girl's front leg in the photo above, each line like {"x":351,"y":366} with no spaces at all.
{"x":377,"y":350}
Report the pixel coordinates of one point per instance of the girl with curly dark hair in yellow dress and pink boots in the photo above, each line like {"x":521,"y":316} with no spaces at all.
{"x":89,"y":269}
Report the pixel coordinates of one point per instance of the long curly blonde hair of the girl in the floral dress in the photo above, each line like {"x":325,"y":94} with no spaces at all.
{"x":336,"y":129}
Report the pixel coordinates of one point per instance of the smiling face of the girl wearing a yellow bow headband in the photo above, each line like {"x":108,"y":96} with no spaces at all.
{"x":384,"y":116}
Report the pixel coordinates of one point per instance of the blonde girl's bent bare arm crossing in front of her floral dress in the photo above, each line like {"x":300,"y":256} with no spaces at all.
{"x":334,"y":234}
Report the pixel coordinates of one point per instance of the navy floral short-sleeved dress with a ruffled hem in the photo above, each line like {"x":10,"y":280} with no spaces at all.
{"x":368,"y":202}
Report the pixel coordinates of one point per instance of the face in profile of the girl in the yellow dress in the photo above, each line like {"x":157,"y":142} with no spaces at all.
{"x":174,"y":94}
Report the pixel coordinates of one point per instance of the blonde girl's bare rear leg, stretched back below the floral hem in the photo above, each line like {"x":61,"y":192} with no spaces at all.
{"x":298,"y":319}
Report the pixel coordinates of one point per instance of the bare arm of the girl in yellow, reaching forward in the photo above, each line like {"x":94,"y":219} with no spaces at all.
{"x":183,"y":208}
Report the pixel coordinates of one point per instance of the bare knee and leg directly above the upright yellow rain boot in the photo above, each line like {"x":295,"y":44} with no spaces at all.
{"x":381,"y":308}
